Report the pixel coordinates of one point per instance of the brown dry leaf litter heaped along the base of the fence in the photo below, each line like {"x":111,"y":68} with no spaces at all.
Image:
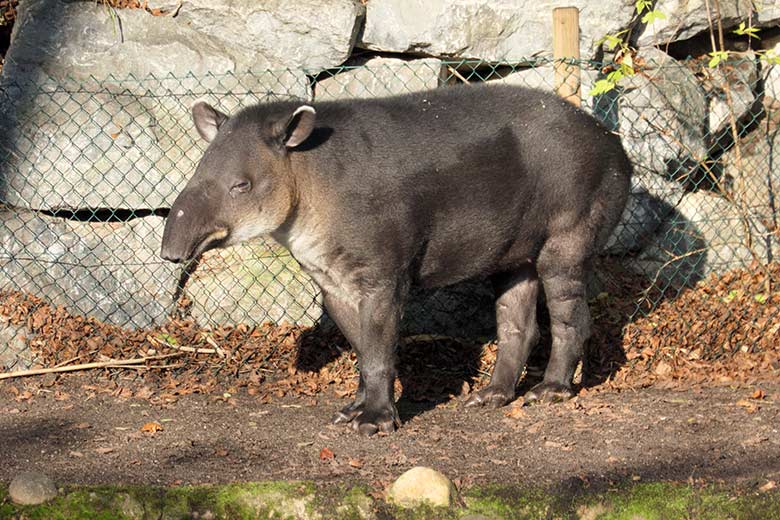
{"x":700,"y":337}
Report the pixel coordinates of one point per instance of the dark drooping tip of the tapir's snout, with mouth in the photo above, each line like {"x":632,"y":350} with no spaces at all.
{"x":190,"y":230}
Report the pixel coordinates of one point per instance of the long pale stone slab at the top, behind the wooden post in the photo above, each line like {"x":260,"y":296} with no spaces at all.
{"x":506,"y":30}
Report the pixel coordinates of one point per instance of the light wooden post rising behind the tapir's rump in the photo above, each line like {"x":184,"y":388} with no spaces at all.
{"x":566,"y":46}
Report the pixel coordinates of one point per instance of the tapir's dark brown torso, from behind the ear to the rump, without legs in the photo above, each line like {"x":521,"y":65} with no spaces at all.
{"x":484,"y":169}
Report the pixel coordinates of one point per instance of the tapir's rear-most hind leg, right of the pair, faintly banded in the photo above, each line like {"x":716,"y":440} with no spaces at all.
{"x":562,"y":265}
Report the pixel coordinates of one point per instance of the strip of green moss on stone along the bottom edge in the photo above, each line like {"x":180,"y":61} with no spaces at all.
{"x":304,"y":500}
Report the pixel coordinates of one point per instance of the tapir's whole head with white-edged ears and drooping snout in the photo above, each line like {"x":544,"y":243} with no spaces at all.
{"x":242,"y":187}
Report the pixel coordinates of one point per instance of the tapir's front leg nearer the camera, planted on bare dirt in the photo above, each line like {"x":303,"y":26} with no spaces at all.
{"x":379,"y":314}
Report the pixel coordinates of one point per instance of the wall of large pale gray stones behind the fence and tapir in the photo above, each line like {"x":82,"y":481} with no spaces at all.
{"x":94,"y":117}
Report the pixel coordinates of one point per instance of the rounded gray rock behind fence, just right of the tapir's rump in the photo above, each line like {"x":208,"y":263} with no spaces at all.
{"x":662,"y":115}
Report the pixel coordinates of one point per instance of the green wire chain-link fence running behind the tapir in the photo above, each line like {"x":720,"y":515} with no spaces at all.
{"x":91,"y":166}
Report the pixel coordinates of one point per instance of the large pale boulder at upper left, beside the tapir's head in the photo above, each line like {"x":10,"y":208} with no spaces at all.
{"x":85,"y":126}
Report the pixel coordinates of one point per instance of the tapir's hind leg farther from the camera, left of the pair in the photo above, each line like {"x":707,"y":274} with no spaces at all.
{"x":518,"y":332}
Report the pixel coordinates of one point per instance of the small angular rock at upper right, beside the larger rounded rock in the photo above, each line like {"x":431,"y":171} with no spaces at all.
{"x":740,"y":75}
